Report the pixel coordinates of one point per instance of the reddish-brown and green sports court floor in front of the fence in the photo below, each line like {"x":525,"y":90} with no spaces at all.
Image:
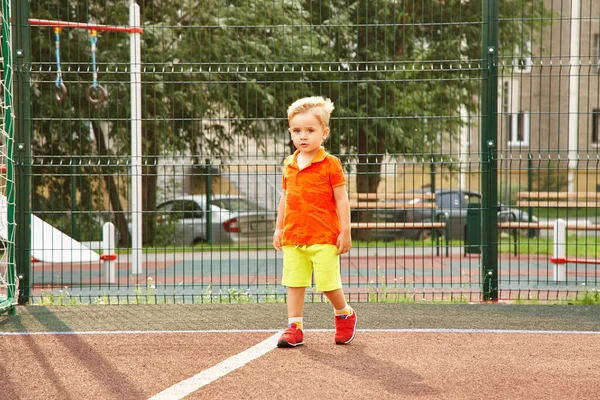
{"x":428,"y":351}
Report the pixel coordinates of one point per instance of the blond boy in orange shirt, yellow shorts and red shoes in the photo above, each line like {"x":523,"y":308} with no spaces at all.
{"x":313,"y":221}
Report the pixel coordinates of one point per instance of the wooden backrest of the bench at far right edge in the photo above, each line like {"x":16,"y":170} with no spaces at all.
{"x":559,"y":199}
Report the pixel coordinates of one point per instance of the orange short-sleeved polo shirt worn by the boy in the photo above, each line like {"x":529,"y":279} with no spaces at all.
{"x":310,"y":208}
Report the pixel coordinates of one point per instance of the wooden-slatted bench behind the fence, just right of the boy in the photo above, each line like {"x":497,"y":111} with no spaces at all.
{"x":399,"y":201}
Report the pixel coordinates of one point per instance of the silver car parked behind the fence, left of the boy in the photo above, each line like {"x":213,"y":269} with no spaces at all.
{"x":233,"y":219}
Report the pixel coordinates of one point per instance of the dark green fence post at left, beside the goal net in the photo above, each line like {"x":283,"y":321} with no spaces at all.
{"x":22,"y":105}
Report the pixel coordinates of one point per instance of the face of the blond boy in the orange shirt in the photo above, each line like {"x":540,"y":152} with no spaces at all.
{"x":307,"y":133}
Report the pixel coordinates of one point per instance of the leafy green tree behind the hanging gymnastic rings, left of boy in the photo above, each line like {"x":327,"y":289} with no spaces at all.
{"x":194,"y":103}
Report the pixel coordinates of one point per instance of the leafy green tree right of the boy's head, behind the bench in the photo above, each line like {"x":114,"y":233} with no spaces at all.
{"x":408,"y":68}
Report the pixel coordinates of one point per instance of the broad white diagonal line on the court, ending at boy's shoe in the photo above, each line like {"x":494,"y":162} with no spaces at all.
{"x":190,"y":385}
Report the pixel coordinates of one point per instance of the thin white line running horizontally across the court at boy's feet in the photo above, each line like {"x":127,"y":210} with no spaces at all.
{"x":391,"y":330}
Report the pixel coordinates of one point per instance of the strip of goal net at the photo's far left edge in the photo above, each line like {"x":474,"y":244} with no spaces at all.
{"x":8,"y":276}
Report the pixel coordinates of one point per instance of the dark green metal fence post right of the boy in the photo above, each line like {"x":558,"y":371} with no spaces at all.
{"x":489,"y":138}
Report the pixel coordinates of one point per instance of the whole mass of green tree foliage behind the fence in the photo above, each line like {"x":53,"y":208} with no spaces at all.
{"x":219,"y":72}
